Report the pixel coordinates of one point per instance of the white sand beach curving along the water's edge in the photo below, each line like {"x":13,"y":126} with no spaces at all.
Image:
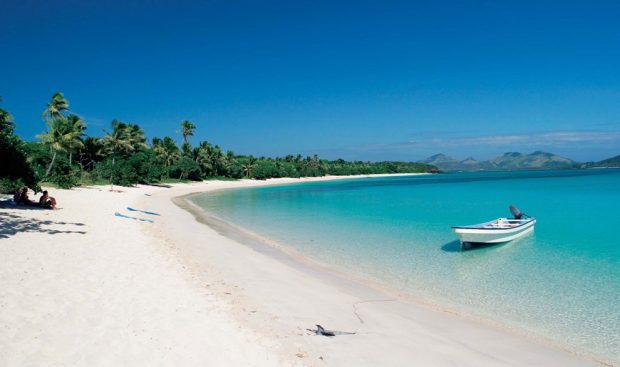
{"x":80,"y":286}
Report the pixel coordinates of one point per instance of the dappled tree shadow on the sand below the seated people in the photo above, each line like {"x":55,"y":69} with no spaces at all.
{"x":11,"y":224}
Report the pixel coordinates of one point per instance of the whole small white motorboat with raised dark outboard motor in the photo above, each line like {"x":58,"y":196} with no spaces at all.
{"x":496,"y":231}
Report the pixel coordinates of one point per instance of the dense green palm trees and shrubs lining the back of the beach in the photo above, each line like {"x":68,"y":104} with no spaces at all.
{"x":65,"y":156}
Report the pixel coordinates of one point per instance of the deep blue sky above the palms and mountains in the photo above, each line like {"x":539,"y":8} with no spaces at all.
{"x":362,"y":80}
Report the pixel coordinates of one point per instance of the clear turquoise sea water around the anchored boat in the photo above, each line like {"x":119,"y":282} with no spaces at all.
{"x":561,"y":283}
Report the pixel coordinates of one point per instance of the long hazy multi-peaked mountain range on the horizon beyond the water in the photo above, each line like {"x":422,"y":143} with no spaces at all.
{"x":507,"y":161}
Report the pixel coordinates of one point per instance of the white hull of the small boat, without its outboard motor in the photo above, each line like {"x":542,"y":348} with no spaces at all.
{"x":473,"y":235}
